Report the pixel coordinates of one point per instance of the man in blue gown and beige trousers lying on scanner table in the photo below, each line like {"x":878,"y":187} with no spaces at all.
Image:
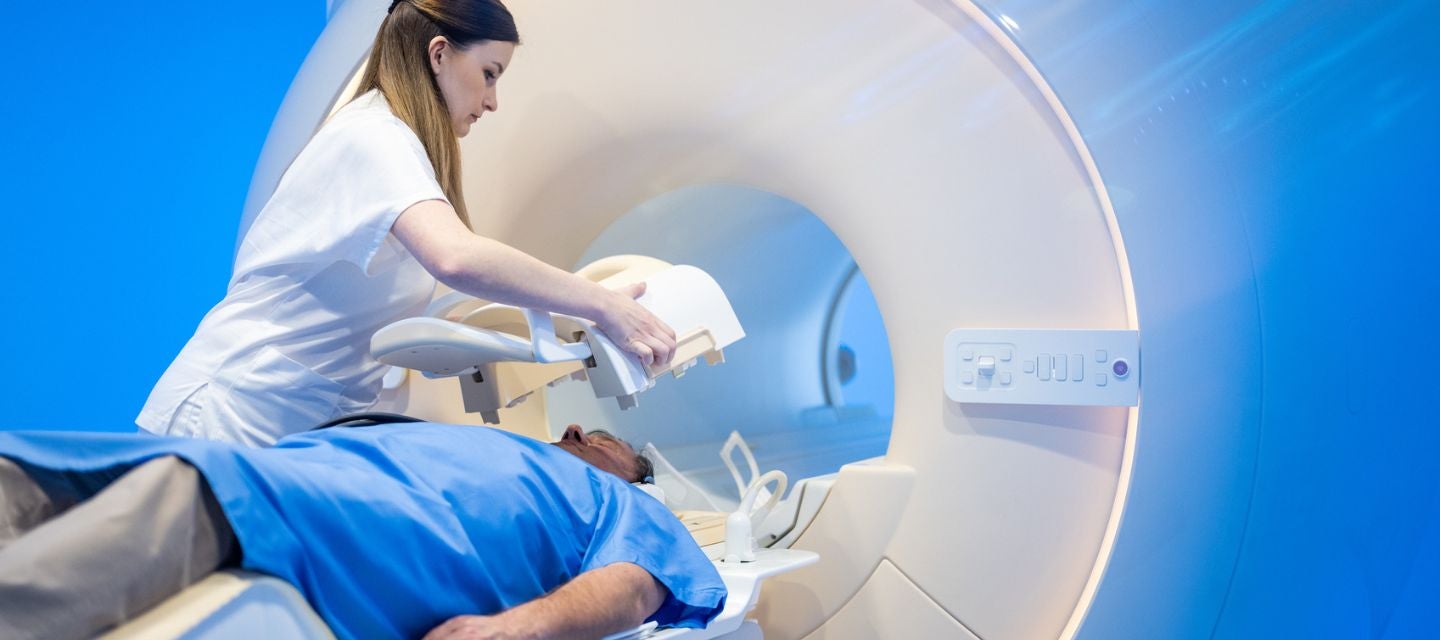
{"x":390,"y":531}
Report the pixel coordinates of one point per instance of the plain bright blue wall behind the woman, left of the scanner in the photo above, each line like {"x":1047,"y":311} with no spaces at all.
{"x":130,"y":136}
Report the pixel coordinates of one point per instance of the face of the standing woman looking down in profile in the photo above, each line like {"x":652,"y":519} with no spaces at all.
{"x":469,"y":77}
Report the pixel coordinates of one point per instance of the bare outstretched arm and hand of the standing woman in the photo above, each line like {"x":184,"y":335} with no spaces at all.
{"x":500,"y":273}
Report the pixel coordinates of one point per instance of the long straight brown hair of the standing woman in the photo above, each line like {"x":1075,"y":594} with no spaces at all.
{"x":401,"y":68}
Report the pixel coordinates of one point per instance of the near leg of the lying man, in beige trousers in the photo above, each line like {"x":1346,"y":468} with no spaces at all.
{"x":143,"y":538}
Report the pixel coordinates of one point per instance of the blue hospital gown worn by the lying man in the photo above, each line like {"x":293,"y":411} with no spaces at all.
{"x":390,"y":531}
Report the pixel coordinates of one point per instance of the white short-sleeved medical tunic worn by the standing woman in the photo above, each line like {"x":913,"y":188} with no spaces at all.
{"x":316,"y":276}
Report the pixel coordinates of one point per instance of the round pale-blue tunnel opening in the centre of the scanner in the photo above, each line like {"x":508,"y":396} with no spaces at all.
{"x":810,"y":388}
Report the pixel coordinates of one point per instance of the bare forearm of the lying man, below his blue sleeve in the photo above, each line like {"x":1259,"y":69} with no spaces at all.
{"x":594,"y":605}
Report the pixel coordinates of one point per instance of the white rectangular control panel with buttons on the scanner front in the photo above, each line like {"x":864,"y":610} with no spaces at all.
{"x":1043,"y":367}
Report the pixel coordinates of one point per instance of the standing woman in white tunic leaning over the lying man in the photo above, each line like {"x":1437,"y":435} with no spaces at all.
{"x":362,"y":226}
